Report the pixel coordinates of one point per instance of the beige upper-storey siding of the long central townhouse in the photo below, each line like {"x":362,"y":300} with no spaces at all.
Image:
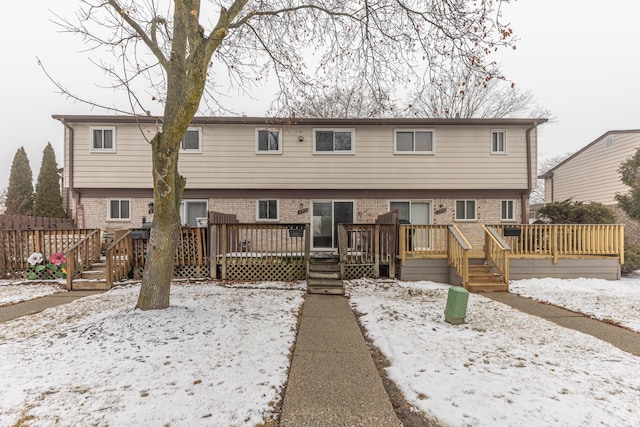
{"x":462,"y":160}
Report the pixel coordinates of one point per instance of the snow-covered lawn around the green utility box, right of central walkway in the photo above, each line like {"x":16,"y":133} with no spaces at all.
{"x":500,"y":368}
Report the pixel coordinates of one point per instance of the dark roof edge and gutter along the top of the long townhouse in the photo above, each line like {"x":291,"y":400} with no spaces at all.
{"x":282,"y":121}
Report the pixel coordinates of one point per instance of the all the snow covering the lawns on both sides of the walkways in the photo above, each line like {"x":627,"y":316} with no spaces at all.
{"x":219,"y":356}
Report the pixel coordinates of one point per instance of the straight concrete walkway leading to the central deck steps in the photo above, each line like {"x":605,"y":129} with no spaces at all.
{"x":333,"y":379}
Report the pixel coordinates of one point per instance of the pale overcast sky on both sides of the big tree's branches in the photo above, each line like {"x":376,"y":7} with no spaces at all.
{"x":579,"y":58}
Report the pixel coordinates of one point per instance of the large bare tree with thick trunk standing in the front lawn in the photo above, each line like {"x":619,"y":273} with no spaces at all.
{"x":177,"y":52}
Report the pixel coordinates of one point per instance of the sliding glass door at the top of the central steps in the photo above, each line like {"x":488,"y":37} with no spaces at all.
{"x":326,"y":217}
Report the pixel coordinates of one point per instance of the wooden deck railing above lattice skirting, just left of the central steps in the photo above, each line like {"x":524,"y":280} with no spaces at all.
{"x":256,"y":245}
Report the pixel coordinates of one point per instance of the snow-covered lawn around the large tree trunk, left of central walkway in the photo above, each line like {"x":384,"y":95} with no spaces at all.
{"x":216,"y":357}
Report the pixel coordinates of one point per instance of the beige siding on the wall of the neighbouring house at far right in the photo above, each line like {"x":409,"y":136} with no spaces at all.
{"x":592,"y":175}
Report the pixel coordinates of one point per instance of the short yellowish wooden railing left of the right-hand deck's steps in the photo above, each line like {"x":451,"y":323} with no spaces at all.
{"x":422,"y":241}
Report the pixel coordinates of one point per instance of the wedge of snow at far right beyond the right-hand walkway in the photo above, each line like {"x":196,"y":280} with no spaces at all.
{"x":615,"y":302}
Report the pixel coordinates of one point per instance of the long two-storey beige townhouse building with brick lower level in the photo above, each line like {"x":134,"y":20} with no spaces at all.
{"x":317,"y":171}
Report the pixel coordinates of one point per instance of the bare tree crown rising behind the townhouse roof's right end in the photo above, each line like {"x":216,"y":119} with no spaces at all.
{"x":460,"y":92}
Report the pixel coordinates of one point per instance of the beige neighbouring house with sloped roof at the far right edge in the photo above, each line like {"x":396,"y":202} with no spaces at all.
{"x":591,"y":174}
